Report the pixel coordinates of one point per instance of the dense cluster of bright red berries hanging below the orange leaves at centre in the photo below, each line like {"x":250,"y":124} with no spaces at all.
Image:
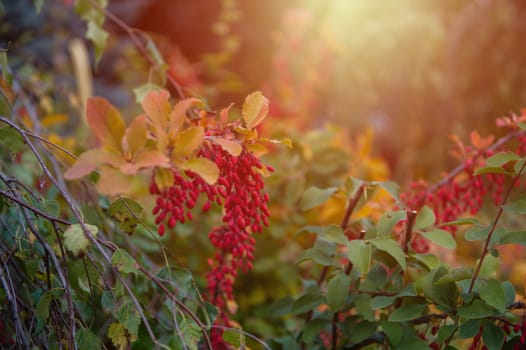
{"x":240,"y":190}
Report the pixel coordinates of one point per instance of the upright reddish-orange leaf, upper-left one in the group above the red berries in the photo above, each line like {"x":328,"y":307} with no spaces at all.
{"x":105,"y":121}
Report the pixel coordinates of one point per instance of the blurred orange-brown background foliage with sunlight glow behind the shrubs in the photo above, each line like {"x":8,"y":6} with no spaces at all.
{"x":369,"y":89}
